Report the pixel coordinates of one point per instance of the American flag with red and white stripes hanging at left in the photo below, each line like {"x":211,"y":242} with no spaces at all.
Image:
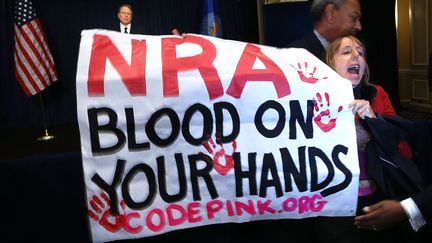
{"x":34,"y":65}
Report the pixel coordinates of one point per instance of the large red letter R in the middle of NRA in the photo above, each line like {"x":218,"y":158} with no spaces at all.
{"x":171,"y":65}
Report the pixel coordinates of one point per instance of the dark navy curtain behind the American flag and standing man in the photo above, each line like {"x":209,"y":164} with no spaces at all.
{"x":63,"y":22}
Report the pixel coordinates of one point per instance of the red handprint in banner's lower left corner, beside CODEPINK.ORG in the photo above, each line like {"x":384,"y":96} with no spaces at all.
{"x":101,"y":212}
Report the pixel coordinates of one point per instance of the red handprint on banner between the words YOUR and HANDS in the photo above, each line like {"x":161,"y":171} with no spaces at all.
{"x":219,"y":154}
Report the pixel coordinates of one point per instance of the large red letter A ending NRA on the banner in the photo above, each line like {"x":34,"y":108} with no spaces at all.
{"x":244,"y":73}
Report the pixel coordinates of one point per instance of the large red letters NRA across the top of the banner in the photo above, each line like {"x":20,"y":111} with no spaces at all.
{"x":133,"y":75}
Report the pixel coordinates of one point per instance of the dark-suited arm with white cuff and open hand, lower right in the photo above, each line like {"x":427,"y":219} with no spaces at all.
{"x":417,"y":209}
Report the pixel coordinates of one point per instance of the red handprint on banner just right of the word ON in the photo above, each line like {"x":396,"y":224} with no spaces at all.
{"x":322,"y":110}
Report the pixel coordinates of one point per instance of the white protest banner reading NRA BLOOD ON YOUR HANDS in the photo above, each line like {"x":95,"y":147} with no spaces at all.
{"x":179,"y":132}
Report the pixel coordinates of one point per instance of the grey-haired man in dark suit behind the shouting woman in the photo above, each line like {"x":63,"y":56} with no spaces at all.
{"x":332,"y":19}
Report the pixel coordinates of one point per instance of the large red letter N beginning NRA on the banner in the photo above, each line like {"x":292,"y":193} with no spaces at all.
{"x":133,"y":75}
